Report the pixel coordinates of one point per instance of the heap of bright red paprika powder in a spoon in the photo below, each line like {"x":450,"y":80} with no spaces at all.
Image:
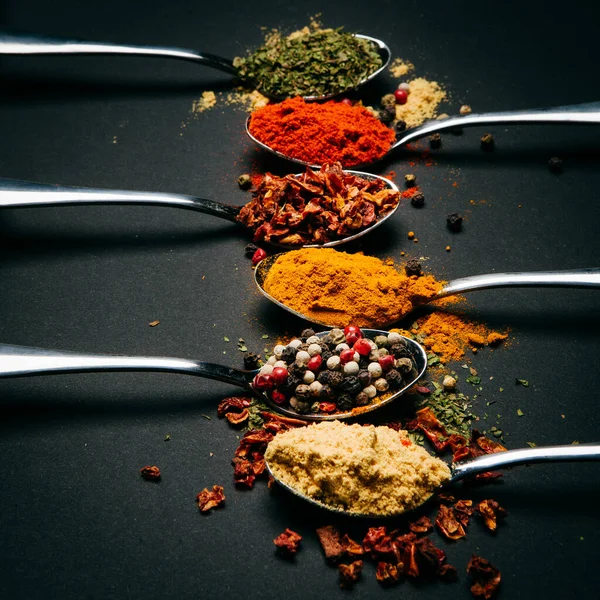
{"x":319,"y":133}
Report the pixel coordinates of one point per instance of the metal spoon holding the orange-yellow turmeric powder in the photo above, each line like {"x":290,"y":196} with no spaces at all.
{"x":575,"y":278}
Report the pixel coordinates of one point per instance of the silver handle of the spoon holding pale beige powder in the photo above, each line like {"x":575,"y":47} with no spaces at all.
{"x":512,"y":458}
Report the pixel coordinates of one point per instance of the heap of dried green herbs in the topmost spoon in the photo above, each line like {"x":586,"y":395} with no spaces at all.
{"x":318,"y":63}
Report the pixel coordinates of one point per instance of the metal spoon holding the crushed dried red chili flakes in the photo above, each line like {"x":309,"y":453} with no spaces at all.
{"x":23,"y":194}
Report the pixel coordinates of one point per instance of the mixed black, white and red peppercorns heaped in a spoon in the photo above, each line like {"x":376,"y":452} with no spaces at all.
{"x":336,"y":371}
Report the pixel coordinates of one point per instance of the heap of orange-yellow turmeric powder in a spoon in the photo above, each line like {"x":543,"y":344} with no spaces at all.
{"x":337,"y":289}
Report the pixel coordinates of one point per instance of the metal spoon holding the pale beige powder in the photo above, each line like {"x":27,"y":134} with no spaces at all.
{"x":481,"y":464}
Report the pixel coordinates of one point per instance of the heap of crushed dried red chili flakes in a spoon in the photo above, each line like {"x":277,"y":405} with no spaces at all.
{"x":316,"y":207}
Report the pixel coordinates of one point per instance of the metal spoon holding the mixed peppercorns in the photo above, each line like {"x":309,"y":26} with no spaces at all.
{"x":24,"y":361}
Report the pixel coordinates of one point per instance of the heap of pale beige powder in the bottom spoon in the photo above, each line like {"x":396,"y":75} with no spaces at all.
{"x":369,"y":470}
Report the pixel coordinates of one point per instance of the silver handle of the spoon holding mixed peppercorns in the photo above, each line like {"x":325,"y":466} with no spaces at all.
{"x":23,"y":361}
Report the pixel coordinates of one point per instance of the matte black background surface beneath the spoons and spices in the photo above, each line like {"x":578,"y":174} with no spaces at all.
{"x":76,"y":519}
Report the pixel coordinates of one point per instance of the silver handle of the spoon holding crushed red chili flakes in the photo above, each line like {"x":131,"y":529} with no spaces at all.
{"x":21,"y":194}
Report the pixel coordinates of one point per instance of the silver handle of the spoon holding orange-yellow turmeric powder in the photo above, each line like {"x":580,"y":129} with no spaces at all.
{"x":586,"y":278}
